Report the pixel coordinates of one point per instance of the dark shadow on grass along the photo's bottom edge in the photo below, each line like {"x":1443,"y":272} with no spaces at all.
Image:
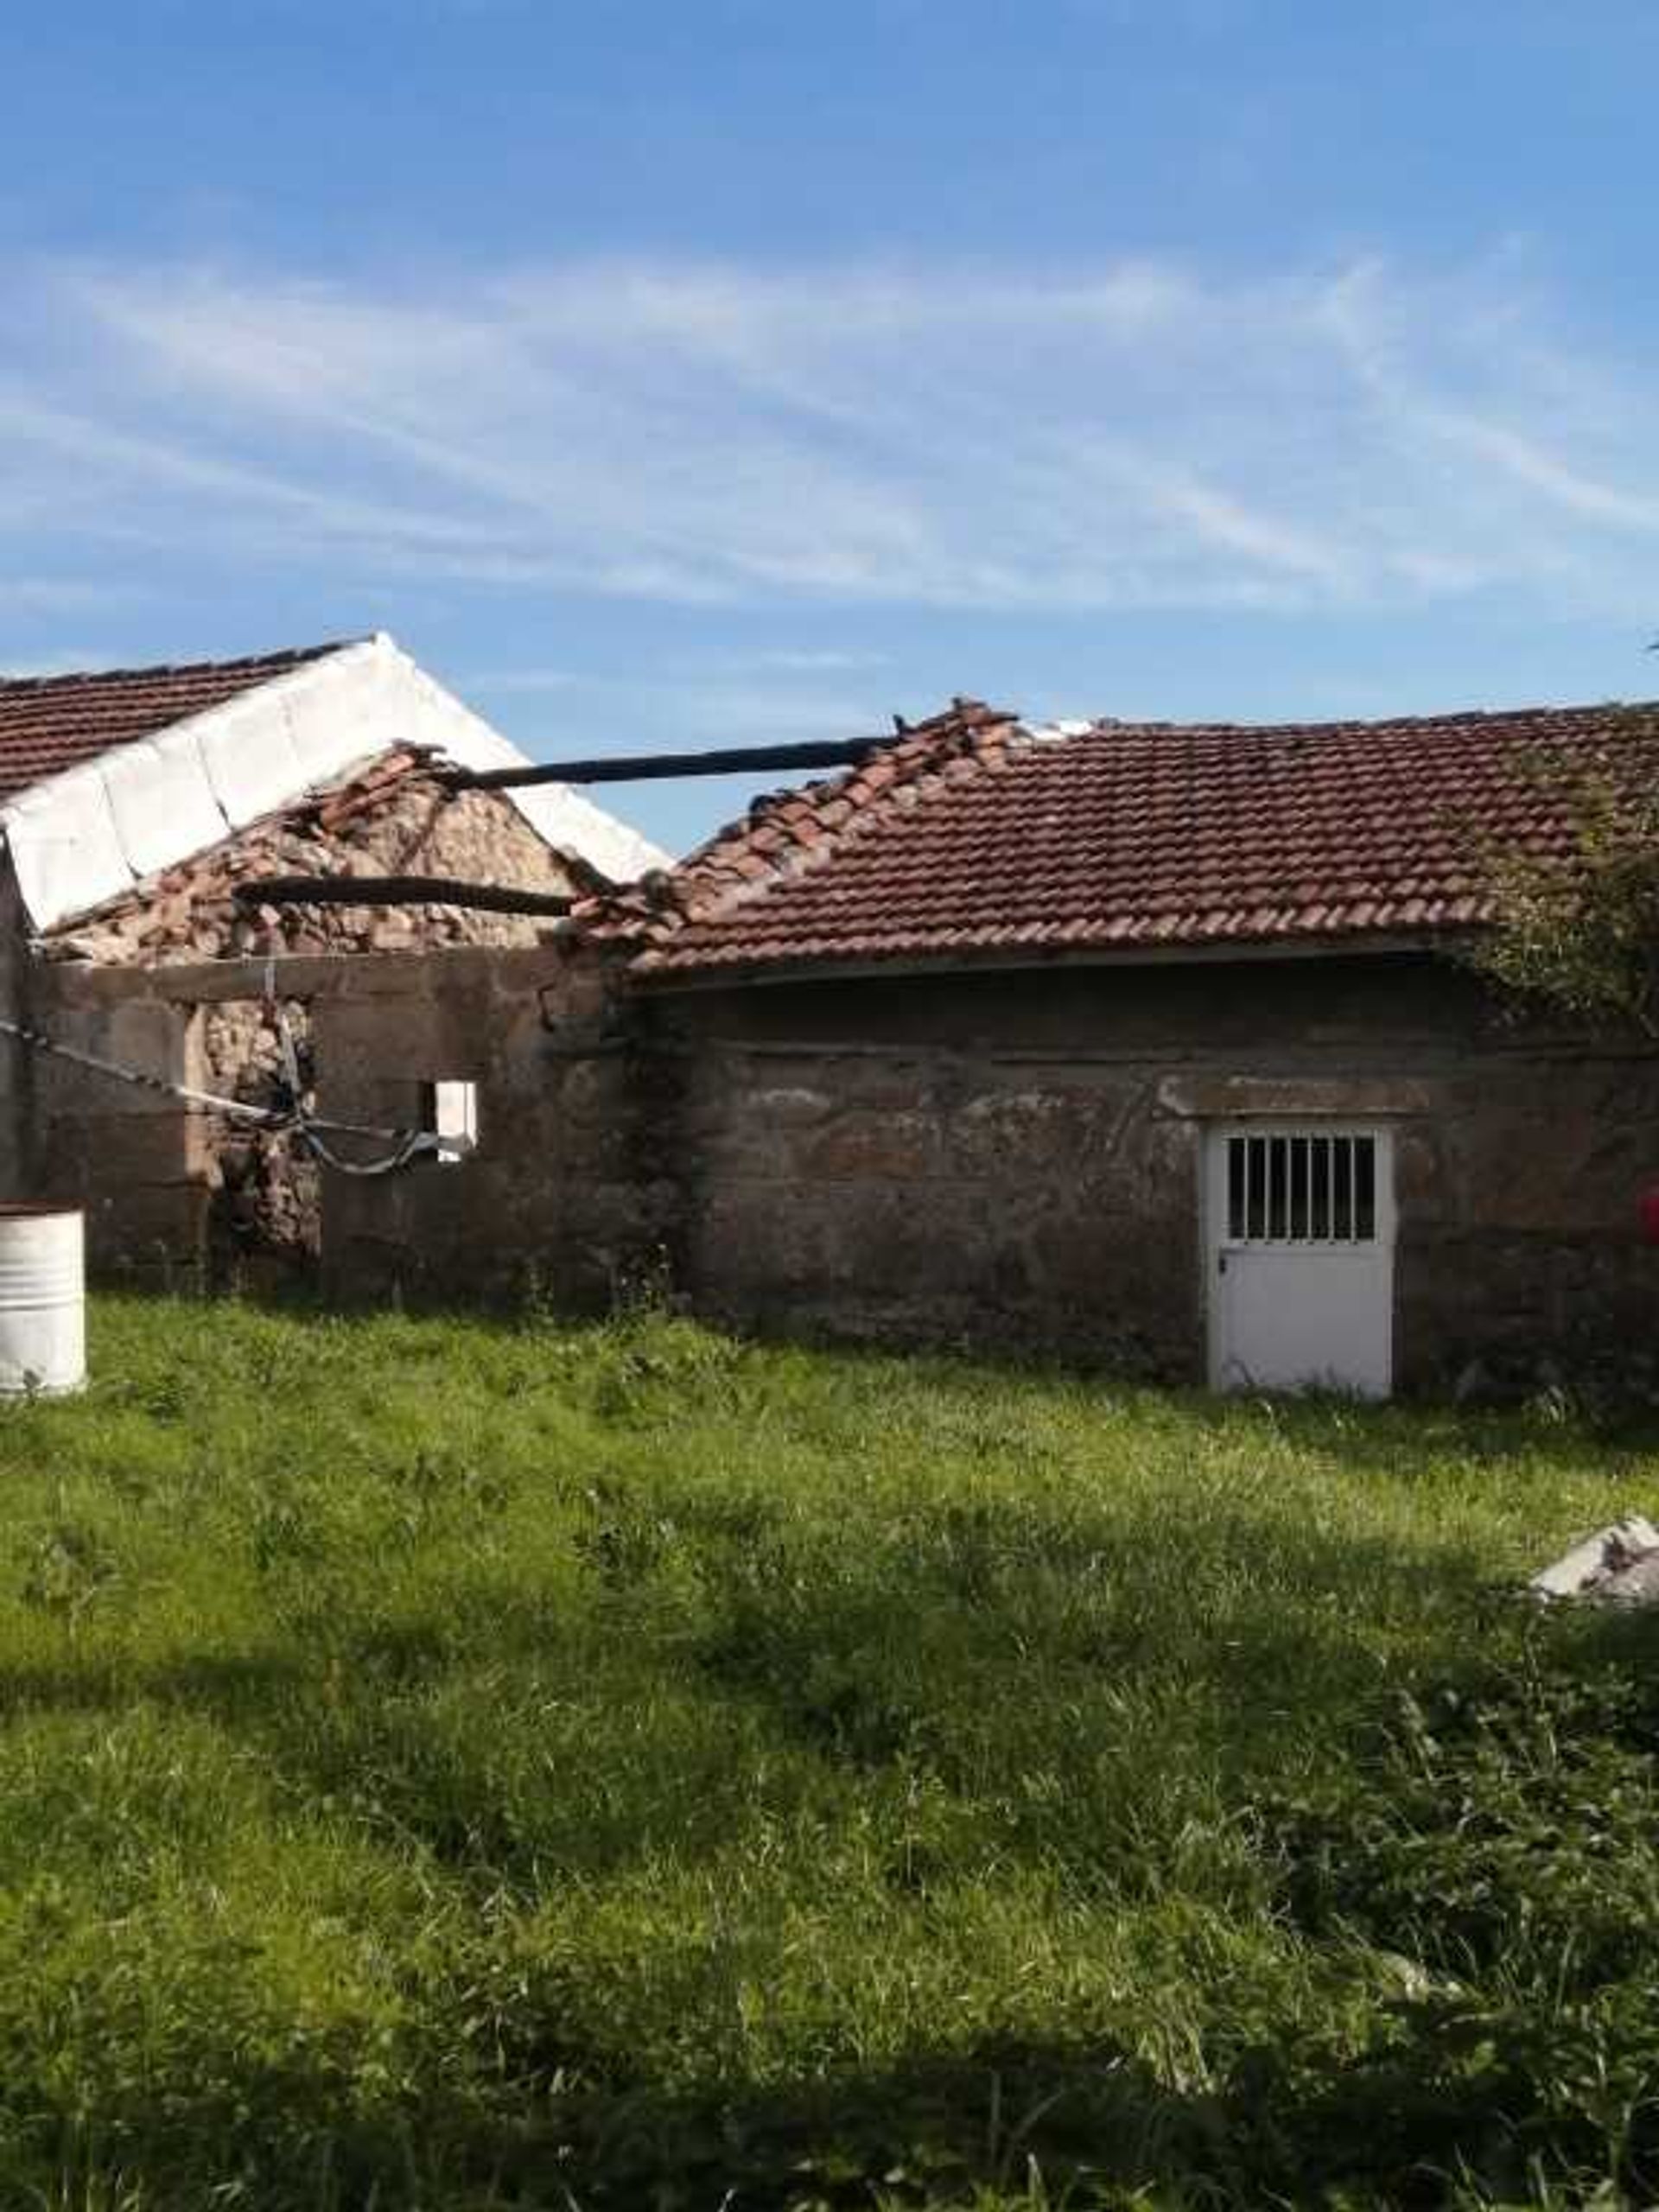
{"x":532,"y":2118}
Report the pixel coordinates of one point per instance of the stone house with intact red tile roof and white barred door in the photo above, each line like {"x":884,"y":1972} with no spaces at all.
{"x":1154,"y":1045}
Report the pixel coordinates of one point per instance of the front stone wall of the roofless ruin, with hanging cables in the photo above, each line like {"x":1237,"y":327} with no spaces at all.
{"x":561,"y":1200}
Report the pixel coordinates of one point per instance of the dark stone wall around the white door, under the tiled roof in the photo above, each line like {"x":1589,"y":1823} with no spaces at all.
{"x":1014,"y":1160}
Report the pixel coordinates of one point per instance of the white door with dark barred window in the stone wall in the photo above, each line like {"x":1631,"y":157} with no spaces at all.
{"x":1302,"y":1258}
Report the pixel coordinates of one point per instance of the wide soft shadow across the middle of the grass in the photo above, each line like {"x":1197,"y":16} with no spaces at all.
{"x":983,"y":1647}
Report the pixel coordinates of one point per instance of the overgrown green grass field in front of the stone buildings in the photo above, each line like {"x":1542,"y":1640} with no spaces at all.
{"x":466,"y":1766}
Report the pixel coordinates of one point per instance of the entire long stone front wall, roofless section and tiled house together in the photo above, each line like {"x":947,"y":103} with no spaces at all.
{"x":992,"y":1160}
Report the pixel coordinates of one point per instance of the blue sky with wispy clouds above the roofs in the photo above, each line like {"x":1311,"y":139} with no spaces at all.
{"x":687,"y":373}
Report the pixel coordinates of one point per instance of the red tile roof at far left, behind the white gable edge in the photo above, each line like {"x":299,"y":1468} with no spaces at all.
{"x":50,"y":724}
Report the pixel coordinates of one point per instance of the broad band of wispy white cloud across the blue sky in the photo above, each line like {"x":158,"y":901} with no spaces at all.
{"x":895,"y":437}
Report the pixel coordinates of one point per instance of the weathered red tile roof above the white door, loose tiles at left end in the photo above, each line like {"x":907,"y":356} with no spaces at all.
{"x":979,"y":837}
